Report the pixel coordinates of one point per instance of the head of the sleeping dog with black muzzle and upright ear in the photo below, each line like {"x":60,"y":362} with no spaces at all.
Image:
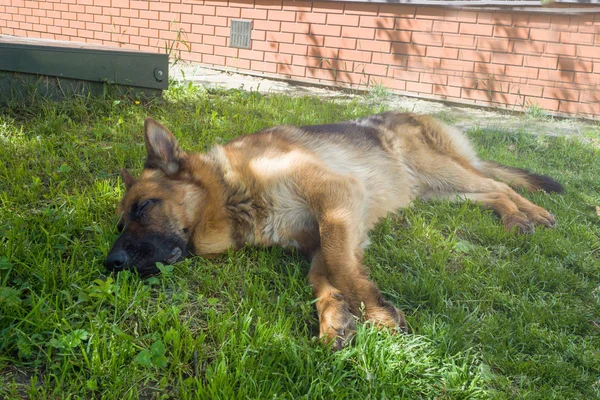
{"x":158,"y":209}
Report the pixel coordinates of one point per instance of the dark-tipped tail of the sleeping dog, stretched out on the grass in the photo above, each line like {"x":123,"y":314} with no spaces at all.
{"x":517,"y":177}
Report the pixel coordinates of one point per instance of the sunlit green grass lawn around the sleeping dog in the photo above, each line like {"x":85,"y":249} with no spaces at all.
{"x":494,"y":315}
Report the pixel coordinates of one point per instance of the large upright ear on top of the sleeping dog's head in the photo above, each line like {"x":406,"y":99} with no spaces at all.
{"x":162,"y":149}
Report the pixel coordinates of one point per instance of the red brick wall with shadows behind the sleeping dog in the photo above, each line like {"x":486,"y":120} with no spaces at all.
{"x":506,"y":59}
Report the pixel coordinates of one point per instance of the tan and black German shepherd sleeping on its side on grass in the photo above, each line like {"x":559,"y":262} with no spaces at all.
{"x":319,"y":189}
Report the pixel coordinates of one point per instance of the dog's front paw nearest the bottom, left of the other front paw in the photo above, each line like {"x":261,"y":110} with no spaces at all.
{"x":337,"y":324}
